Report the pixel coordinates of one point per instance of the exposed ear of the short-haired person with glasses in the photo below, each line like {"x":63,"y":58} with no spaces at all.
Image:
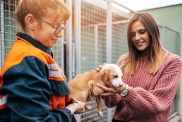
{"x":30,"y":22}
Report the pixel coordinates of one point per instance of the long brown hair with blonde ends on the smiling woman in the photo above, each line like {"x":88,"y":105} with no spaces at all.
{"x":156,"y":52}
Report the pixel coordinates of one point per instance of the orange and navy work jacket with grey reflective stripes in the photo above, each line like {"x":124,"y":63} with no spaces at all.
{"x":32,"y":85}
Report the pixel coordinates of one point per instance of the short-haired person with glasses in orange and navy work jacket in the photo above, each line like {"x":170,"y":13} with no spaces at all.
{"x":33,"y":88}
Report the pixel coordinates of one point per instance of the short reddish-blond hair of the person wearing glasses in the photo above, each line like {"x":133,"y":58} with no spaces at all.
{"x":38,"y":8}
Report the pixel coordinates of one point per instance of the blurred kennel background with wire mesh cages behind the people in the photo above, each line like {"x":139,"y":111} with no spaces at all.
{"x":96,"y":33}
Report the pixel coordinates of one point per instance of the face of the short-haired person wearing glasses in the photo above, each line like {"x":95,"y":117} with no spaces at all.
{"x":45,"y":33}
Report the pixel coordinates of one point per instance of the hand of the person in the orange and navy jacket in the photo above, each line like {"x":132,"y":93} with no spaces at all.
{"x":77,"y":107}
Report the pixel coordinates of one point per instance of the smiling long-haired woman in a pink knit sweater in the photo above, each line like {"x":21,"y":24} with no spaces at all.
{"x":151,"y":75}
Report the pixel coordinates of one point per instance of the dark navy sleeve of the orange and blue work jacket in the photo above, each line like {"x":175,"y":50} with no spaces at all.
{"x":29,"y":90}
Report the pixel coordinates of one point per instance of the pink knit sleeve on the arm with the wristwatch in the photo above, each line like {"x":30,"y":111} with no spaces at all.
{"x":161,"y":97}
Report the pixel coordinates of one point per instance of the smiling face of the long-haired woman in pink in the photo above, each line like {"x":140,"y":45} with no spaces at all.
{"x":140,"y":36}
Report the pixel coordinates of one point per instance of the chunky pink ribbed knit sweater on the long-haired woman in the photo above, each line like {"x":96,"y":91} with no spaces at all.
{"x":151,"y":97}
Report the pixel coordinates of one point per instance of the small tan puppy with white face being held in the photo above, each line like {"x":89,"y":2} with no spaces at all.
{"x":84,"y":86}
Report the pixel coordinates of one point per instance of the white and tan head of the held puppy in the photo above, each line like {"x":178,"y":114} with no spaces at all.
{"x":111,"y":74}
